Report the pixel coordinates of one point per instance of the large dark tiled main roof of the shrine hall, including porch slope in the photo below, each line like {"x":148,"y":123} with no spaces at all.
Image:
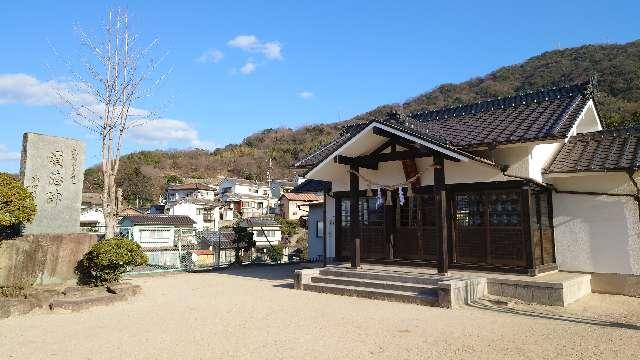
{"x":538,"y":115}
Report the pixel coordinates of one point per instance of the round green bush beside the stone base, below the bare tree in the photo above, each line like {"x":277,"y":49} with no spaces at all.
{"x":107,"y":260}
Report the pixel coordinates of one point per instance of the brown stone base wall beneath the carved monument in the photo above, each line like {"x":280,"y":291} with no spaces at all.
{"x":42,"y":259}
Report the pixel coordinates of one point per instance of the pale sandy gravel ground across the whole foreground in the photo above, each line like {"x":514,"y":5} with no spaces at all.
{"x":253,"y":313}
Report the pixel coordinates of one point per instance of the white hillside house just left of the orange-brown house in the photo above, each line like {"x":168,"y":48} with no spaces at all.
{"x":247,"y":198}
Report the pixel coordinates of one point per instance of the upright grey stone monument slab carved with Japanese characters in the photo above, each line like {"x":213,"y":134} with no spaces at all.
{"x":52,"y":168}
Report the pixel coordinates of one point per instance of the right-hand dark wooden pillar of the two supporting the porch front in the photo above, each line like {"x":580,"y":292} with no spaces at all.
{"x":440,"y":199}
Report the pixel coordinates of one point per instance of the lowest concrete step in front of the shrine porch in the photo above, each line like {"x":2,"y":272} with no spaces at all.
{"x":426,"y":298}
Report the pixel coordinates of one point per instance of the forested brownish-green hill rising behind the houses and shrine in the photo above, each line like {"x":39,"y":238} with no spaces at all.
{"x":617,"y":68}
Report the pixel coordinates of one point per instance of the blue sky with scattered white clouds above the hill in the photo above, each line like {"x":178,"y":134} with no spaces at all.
{"x":241,"y":66}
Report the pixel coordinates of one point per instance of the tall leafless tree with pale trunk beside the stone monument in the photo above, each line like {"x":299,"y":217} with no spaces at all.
{"x":116,"y":75}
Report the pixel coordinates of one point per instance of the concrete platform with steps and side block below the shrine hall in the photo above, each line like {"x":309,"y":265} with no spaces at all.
{"x":456,"y":288}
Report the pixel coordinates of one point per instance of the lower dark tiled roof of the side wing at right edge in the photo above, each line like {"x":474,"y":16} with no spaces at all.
{"x":605,"y":150}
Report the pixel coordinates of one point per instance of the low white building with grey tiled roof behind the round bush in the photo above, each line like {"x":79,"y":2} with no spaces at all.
{"x":154,"y":230}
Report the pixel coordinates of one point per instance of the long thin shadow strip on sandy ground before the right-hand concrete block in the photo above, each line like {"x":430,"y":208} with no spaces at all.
{"x":553,"y":316}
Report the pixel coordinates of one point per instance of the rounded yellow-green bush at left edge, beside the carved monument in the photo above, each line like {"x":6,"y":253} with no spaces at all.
{"x":17,"y":206}
